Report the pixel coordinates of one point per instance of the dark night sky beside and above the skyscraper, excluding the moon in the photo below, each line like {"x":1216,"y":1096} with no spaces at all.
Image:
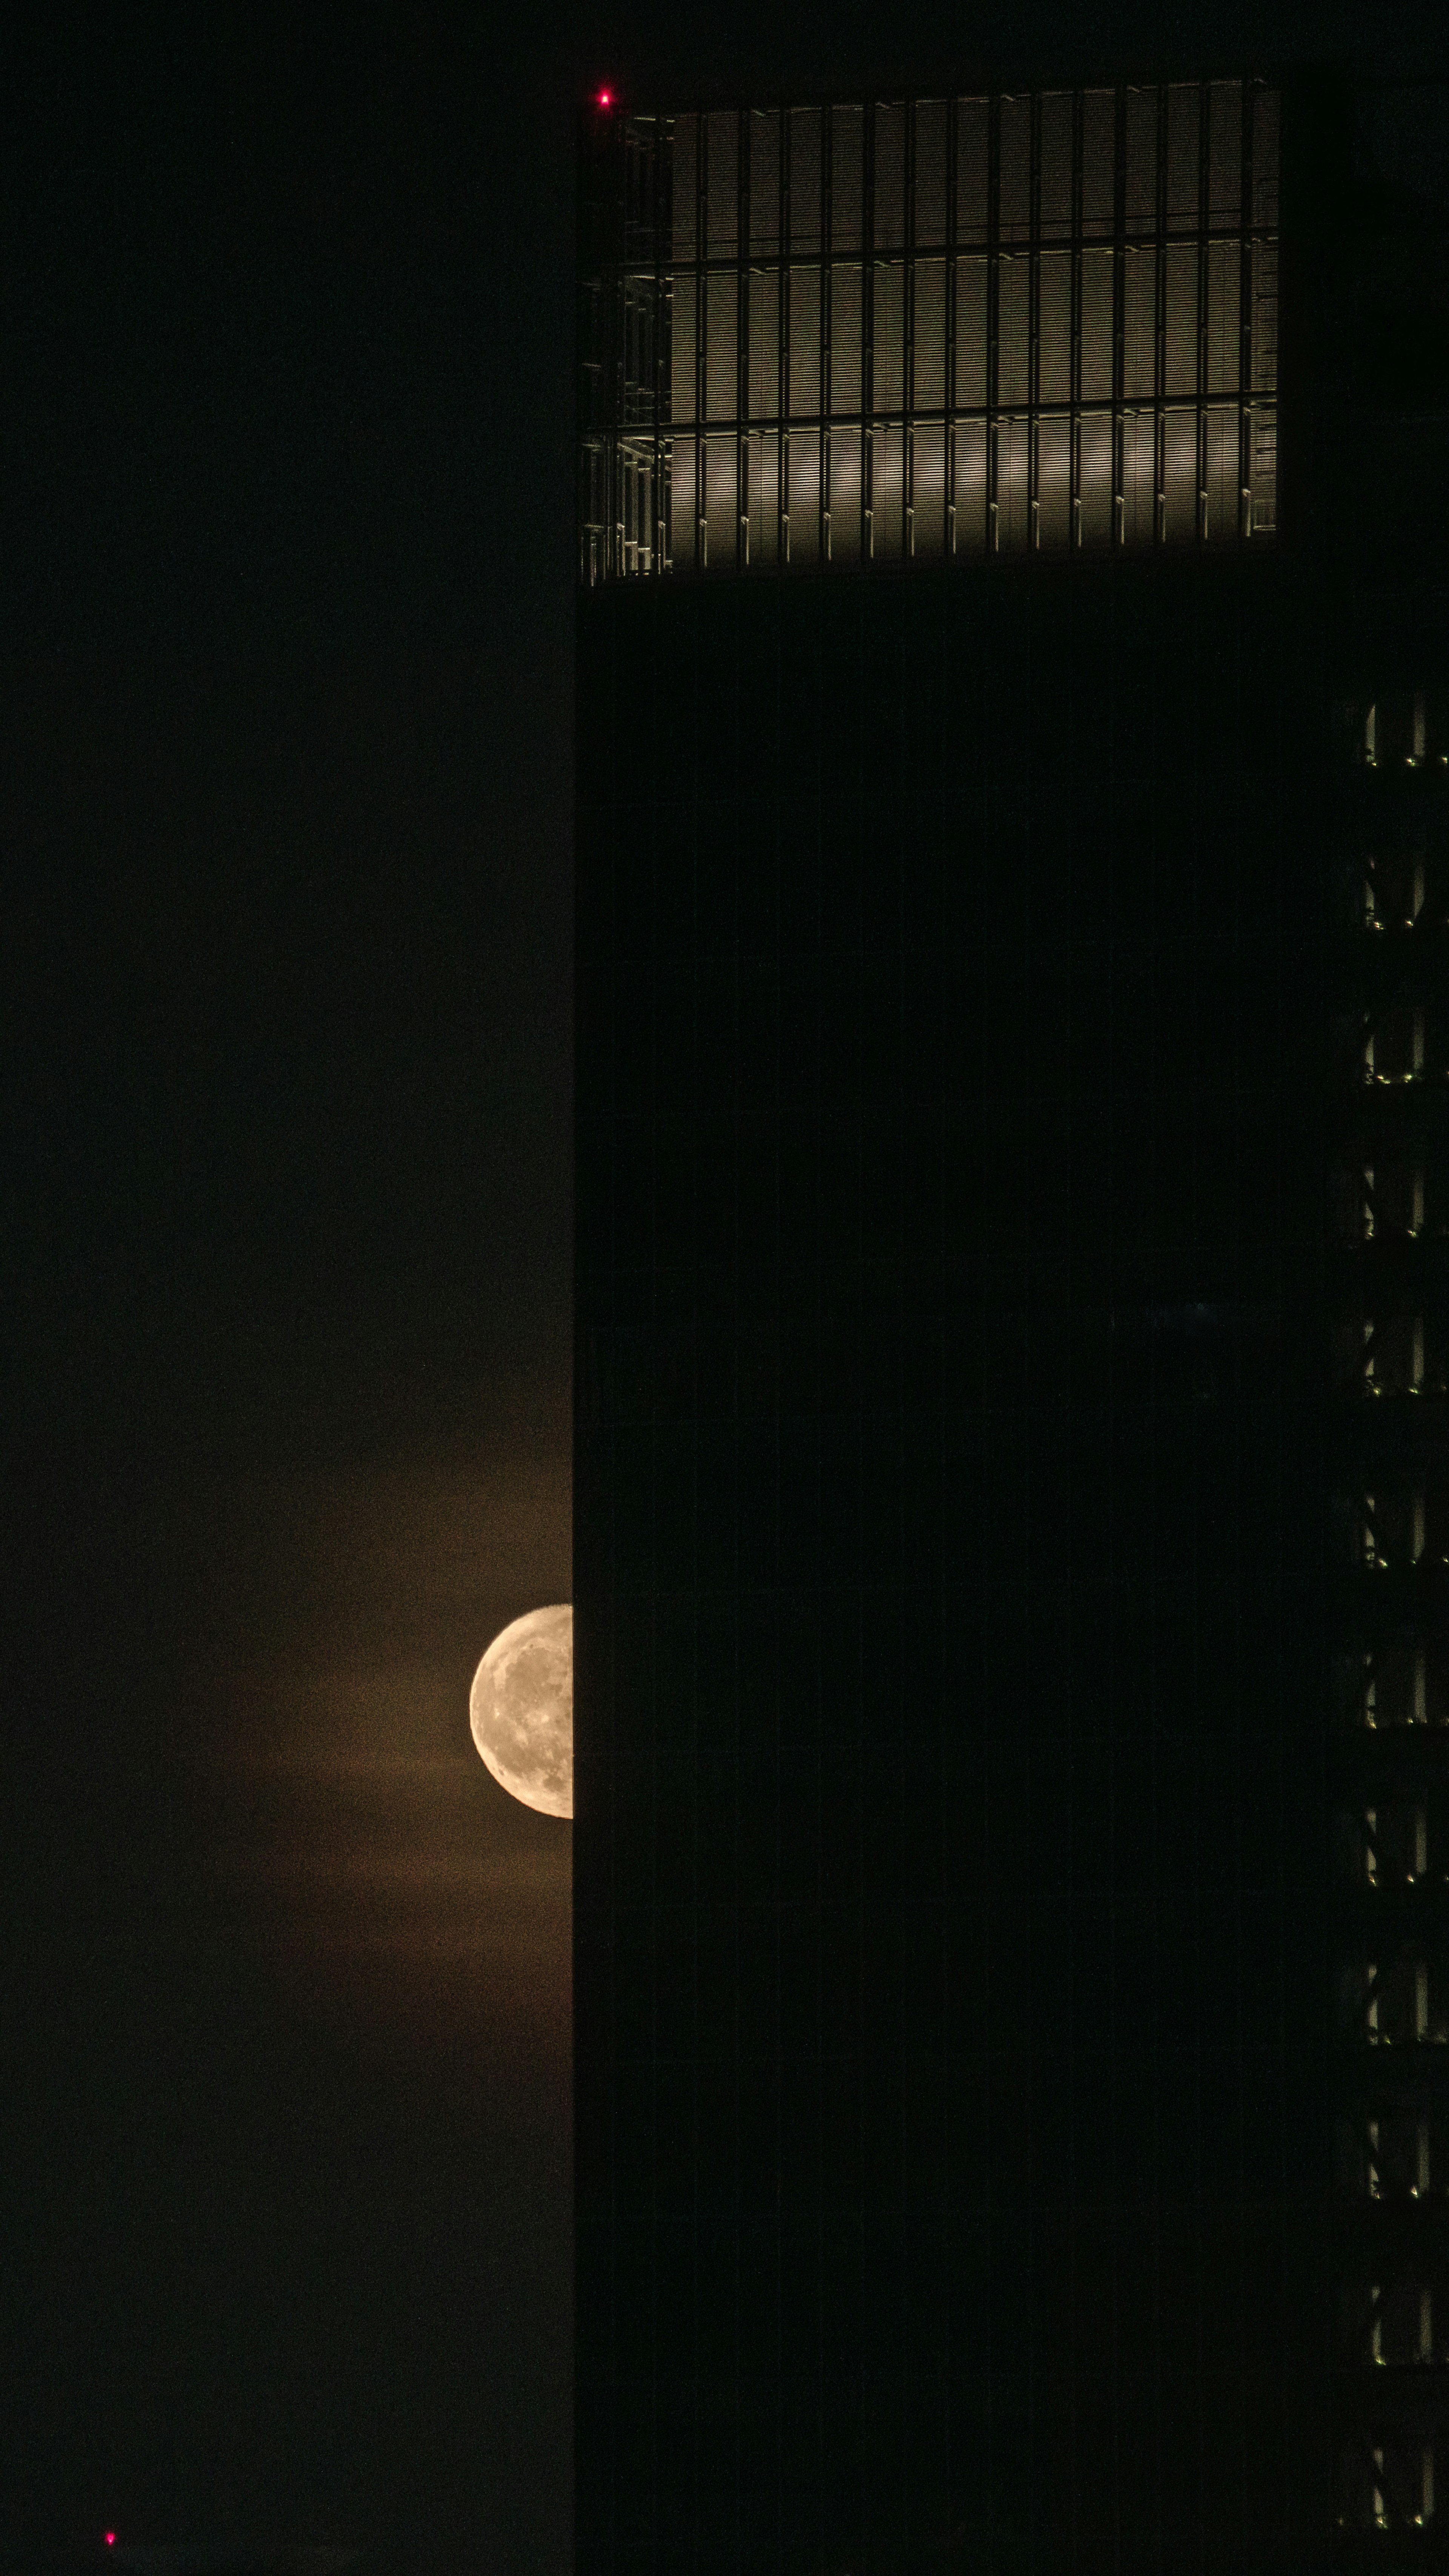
{"x":284,"y":823}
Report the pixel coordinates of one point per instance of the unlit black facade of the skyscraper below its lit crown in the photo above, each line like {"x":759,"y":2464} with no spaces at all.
{"x":948,"y":1859}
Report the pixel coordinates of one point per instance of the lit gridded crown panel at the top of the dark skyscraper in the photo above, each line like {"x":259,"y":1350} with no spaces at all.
{"x":928,"y":328}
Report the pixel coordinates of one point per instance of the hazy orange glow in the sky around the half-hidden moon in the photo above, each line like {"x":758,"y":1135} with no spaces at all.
{"x":408,"y":1910}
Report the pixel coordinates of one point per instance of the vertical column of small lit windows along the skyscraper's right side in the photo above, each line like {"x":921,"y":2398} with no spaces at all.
{"x":1391,"y":1230}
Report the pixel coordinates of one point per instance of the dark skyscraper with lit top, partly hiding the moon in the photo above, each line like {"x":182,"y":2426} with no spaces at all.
{"x":1013,"y":1495}
